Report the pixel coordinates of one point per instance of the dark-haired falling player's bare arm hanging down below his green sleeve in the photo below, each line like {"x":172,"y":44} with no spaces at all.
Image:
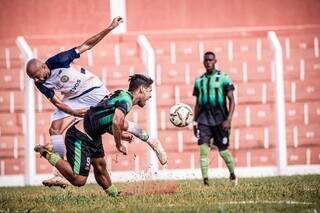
{"x":117,"y":127}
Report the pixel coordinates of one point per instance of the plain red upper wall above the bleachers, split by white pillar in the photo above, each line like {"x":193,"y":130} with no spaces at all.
{"x":39,"y":17}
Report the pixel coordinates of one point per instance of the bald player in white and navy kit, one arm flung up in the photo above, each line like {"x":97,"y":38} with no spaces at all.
{"x":80,"y":89}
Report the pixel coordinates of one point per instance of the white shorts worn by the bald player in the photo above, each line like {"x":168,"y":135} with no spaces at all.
{"x":87,"y":100}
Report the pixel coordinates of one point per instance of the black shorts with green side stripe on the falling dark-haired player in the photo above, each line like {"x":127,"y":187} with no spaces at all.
{"x":81,"y":149}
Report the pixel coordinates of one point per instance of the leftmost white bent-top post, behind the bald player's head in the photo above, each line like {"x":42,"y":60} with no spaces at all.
{"x":29,"y":121}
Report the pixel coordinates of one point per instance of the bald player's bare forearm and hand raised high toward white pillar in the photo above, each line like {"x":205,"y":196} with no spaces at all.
{"x":91,"y":42}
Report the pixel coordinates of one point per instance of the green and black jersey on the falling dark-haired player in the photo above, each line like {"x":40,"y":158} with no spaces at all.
{"x":98,"y":119}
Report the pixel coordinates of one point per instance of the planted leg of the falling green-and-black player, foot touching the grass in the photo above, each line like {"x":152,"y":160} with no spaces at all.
{"x":102,"y":176}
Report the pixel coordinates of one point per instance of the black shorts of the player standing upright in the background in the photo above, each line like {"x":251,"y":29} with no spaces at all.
{"x":219,"y":136}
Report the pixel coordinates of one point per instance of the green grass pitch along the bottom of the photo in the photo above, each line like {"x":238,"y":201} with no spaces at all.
{"x":272,"y":194}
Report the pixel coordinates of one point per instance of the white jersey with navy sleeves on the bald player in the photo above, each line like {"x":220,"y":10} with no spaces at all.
{"x":63,"y":78}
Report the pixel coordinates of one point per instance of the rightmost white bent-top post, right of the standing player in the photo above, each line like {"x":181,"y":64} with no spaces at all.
{"x":279,"y":104}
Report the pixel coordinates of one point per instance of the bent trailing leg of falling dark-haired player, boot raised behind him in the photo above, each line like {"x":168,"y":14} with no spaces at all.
{"x":63,"y":166}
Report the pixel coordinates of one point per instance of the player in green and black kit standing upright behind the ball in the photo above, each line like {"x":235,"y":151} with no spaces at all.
{"x":212,"y":118}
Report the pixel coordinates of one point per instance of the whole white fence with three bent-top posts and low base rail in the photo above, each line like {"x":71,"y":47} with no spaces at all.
{"x":148,"y":57}
